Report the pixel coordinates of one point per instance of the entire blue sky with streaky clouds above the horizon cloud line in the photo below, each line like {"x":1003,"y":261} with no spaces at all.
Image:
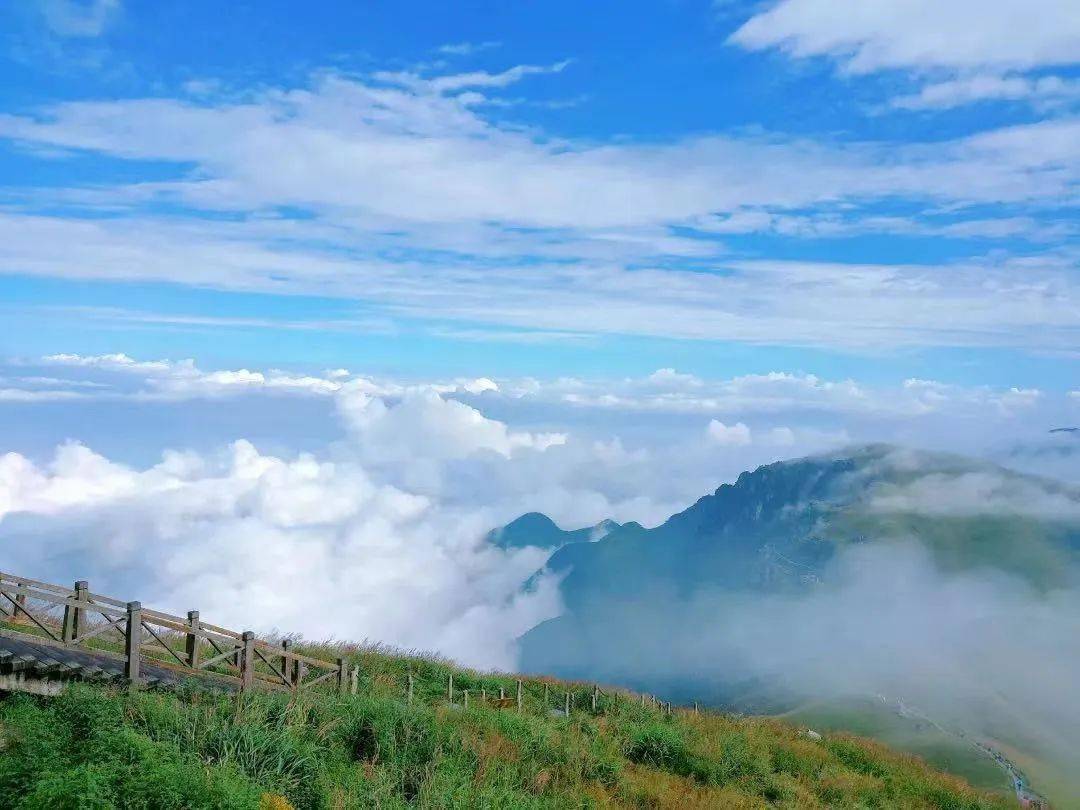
{"x":516,"y":188}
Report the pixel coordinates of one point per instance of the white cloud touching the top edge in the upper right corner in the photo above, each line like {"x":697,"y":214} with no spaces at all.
{"x":920,"y":34}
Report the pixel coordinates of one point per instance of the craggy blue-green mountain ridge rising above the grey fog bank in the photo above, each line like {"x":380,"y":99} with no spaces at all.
{"x":779,"y":528}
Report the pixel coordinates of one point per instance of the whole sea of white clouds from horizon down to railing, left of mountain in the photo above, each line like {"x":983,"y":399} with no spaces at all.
{"x":336,"y":505}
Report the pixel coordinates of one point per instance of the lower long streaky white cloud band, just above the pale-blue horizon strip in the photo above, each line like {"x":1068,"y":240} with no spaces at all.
{"x":995,"y":301}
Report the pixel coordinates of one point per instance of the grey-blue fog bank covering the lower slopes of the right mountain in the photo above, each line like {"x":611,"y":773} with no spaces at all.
{"x":980,"y":652}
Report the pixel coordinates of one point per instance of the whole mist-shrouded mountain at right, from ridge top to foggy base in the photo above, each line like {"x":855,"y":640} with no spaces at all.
{"x":941,"y":582}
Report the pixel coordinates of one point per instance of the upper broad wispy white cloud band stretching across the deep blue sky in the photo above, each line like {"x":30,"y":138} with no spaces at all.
{"x":422,"y":157}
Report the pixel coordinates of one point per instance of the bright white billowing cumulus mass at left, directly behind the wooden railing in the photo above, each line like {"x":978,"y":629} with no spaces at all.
{"x":300,"y":544}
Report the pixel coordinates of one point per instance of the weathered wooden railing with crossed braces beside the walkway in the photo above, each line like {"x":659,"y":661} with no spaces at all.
{"x":73,"y":617}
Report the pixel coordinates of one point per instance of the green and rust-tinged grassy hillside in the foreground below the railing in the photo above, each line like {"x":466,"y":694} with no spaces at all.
{"x":101,"y":748}
